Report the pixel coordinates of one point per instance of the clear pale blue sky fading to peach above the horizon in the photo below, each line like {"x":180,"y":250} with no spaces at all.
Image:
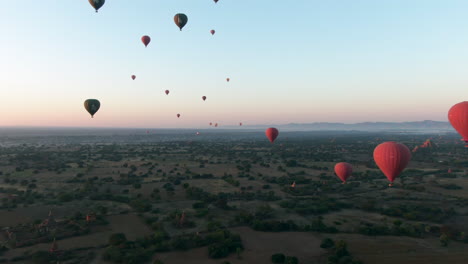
{"x":288,"y":61}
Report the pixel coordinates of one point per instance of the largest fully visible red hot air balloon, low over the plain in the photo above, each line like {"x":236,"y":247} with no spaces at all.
{"x":392,"y":158}
